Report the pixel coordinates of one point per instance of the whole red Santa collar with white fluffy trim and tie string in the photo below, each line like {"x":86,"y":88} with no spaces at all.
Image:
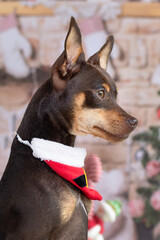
{"x":66,"y":161}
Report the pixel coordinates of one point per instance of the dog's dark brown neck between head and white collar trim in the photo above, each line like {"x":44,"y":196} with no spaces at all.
{"x":44,"y":123}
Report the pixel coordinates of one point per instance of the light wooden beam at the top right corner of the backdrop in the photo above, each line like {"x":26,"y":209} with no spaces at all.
{"x":140,"y":9}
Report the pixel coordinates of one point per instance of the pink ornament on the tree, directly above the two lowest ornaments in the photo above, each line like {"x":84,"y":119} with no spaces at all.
{"x":153,"y":168}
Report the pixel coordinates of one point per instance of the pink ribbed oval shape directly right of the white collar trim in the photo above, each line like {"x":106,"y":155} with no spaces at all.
{"x":93,"y":168}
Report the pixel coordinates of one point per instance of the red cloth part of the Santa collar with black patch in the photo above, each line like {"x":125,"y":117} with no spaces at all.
{"x":77,"y":177}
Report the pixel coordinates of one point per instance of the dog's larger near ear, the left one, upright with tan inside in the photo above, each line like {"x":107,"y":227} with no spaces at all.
{"x":69,"y":63}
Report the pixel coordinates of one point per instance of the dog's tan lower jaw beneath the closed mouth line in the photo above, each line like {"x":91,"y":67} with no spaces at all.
{"x":99,"y":132}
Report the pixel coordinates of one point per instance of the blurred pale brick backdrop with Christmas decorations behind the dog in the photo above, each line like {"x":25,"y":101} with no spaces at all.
{"x":32,"y":36}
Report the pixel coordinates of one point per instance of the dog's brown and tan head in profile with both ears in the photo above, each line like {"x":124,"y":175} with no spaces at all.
{"x":87,"y":92}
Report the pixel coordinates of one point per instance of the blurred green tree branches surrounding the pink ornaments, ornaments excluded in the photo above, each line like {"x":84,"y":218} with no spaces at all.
{"x":151,"y":137}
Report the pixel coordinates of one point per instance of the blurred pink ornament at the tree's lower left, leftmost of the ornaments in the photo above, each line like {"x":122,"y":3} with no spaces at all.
{"x":136,"y":208}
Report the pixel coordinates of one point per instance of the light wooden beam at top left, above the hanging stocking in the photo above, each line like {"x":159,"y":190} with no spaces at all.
{"x":10,"y":7}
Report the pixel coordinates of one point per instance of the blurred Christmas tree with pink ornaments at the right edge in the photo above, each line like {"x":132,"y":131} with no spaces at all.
{"x":147,"y":209}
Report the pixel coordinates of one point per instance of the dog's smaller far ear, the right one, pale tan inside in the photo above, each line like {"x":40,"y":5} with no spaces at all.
{"x":101,"y":57}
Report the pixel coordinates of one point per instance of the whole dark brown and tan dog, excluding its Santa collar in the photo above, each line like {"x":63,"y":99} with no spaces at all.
{"x":78,"y":99}
